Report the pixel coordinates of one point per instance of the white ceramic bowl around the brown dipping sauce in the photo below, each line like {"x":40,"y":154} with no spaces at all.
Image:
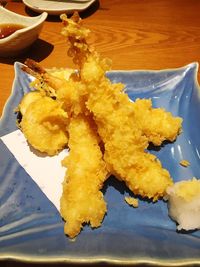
{"x":20,"y":40}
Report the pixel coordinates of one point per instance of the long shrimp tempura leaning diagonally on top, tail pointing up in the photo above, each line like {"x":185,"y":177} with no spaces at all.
{"x":117,"y":123}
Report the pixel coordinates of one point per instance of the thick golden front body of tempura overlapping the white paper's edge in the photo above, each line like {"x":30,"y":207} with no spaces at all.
{"x":82,"y":201}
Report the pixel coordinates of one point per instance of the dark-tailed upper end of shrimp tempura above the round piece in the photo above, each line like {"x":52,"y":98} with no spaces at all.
{"x":65,"y":86}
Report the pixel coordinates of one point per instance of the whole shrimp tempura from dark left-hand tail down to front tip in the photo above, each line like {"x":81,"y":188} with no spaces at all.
{"x":86,"y":170}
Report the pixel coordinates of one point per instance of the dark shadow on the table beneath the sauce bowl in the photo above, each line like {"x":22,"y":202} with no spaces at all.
{"x":38,"y":51}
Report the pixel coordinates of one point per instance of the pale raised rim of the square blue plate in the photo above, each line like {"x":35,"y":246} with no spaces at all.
{"x":108,"y":258}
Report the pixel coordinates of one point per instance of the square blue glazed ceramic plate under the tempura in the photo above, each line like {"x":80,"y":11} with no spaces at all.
{"x":30,"y":226}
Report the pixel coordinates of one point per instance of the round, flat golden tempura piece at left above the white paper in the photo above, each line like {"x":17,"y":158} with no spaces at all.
{"x":44,"y":125}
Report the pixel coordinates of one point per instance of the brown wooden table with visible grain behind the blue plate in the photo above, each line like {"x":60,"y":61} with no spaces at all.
{"x":135,"y":34}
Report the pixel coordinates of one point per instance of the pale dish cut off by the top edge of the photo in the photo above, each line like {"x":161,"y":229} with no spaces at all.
{"x":57,"y":7}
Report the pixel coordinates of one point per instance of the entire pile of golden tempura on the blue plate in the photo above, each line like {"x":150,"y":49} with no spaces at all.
{"x":91,"y":109}
